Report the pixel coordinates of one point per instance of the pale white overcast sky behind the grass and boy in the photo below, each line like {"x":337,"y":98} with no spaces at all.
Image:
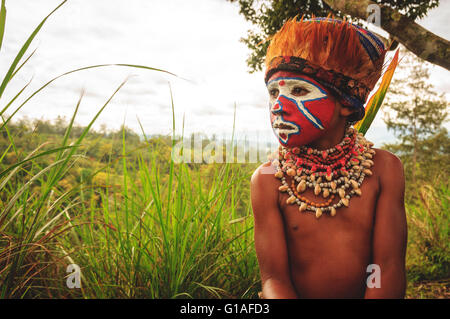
{"x":197,"y":40}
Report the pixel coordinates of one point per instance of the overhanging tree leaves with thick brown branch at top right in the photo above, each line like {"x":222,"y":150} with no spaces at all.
{"x":397,"y":18}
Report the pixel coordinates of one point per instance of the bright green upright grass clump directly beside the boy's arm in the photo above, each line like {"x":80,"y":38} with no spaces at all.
{"x":167,"y":239}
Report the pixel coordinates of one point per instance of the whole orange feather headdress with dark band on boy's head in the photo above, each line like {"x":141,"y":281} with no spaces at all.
{"x":343,"y":57}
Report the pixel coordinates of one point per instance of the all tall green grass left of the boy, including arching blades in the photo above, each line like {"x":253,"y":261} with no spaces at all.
{"x":166,"y":231}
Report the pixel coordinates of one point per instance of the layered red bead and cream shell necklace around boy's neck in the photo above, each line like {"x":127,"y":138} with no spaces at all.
{"x":338,"y":171}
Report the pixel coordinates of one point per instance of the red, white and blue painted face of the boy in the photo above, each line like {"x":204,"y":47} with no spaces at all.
{"x":301,"y":109}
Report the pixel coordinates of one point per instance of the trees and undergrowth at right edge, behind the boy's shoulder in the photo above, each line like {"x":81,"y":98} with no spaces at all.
{"x":417,"y":116}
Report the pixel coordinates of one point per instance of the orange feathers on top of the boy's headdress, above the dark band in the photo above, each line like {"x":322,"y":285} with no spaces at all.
{"x":331,"y":44}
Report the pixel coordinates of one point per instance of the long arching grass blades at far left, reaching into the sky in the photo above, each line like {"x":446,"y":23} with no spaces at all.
{"x":33,"y":193}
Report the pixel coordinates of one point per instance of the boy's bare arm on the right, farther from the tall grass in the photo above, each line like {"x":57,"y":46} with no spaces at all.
{"x":390,"y":230}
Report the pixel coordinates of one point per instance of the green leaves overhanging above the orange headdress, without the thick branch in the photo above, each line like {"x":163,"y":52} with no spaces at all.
{"x":268,"y":16}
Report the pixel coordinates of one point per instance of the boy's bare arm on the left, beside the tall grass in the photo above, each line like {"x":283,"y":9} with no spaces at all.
{"x":270,"y":241}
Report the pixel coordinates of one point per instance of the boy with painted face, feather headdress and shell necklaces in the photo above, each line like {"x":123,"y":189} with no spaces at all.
{"x":329,"y":211}
